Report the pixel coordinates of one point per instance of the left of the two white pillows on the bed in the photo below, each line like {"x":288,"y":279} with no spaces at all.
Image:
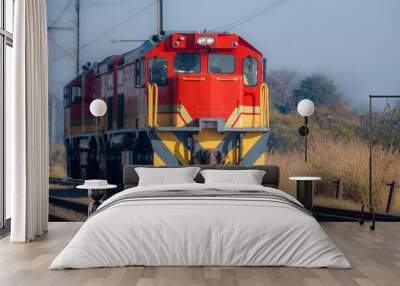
{"x":166,"y":176}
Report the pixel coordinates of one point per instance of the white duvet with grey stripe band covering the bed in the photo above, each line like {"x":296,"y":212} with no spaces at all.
{"x":200,"y":231}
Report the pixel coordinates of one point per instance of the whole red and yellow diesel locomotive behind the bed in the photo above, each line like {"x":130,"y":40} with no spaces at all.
{"x":178,"y":99}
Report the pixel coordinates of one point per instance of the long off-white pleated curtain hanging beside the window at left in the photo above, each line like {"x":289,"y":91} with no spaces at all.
{"x":26,"y":124}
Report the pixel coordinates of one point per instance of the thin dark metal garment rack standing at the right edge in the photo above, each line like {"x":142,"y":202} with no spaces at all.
{"x":370,"y":205}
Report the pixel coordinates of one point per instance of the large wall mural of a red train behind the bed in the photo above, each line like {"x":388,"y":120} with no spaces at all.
{"x":225,"y":93}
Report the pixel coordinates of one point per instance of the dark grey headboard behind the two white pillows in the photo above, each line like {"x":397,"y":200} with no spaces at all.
{"x":270,"y":179}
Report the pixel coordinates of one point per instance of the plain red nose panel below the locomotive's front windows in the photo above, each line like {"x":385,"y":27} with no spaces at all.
{"x":209,"y":96}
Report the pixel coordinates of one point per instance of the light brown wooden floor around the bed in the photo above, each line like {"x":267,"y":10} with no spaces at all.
{"x":375,"y":257}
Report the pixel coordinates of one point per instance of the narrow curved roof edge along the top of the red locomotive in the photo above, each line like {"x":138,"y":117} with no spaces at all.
{"x":148,"y":45}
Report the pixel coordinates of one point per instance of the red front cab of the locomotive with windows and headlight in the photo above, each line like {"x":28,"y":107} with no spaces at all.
{"x":209,"y":76}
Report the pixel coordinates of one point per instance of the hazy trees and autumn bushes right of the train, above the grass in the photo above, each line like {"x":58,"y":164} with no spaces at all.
{"x":334,"y":117}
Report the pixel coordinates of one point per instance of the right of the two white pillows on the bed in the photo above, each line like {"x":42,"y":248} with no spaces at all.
{"x":249,"y":177}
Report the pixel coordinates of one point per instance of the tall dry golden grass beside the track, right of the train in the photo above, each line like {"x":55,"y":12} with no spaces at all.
{"x":347,"y":161}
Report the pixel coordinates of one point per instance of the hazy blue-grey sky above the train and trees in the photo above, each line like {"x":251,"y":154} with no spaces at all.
{"x":356,"y":42}
